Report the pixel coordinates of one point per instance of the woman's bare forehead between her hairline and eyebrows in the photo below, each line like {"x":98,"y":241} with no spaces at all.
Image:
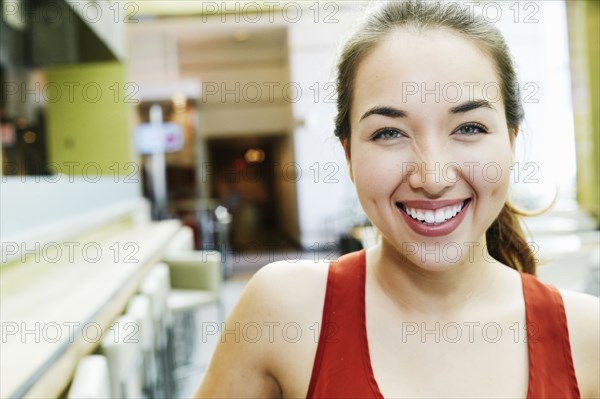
{"x":418,"y":68}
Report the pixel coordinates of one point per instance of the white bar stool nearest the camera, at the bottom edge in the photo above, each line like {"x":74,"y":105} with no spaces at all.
{"x":91,"y":379}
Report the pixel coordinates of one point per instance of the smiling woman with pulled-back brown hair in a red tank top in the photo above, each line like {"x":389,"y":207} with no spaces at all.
{"x":446,"y":304}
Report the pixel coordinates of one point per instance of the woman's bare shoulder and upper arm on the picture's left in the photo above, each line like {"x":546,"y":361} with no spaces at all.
{"x":278,"y":306}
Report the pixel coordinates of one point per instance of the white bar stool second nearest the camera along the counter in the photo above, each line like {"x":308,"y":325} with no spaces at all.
{"x":123,"y":354}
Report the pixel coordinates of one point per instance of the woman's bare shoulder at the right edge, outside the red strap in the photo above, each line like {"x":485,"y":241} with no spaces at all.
{"x":583,"y":319}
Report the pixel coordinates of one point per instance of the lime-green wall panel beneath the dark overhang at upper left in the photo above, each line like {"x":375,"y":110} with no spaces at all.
{"x":89,"y":126}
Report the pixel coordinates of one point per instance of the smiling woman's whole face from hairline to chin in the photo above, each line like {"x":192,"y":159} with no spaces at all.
{"x":430,"y":152}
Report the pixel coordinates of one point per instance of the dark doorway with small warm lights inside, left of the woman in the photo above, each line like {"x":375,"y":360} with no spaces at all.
{"x":245,"y":178}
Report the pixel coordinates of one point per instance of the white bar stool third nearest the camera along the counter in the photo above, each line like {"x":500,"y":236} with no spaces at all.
{"x":140,"y":308}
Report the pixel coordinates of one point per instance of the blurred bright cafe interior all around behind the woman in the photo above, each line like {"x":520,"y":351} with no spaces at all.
{"x":193,"y":140}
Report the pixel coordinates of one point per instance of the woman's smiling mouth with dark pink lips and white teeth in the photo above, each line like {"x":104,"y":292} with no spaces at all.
{"x":434,"y":218}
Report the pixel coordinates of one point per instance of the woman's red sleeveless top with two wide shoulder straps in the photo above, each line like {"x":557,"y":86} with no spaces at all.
{"x":342,"y":367}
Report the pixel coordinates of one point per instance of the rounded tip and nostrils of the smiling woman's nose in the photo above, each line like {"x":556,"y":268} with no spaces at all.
{"x":433,"y":176}
